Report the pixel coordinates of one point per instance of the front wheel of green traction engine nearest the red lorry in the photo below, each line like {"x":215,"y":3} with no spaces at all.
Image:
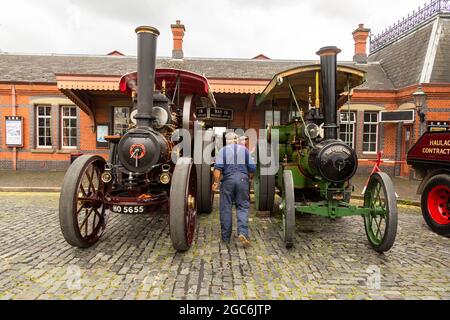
{"x":381,"y":223}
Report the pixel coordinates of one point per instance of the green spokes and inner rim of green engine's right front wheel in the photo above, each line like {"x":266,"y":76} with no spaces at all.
{"x":377,"y":220}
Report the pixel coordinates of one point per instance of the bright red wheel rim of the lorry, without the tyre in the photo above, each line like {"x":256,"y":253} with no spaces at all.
{"x":438,"y":204}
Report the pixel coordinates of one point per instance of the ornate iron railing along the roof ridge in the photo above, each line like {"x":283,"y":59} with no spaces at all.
{"x":408,"y":23}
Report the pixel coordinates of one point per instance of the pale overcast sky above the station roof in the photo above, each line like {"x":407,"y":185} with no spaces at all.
{"x":280,"y":29}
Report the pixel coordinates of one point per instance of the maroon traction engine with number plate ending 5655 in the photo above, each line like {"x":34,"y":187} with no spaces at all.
{"x":150,"y":167}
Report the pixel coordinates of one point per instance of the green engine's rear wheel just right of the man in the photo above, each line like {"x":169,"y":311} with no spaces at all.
{"x":264,"y":183}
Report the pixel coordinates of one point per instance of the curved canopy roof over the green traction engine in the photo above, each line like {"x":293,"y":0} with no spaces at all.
{"x":304,"y":77}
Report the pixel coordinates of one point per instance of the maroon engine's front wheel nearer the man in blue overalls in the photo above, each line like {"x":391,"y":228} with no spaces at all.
{"x":183,"y":204}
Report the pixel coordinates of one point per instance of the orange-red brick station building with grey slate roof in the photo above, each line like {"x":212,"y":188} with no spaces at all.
{"x":64,"y":99}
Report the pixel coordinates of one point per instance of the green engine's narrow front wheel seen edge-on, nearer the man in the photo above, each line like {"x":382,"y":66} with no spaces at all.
{"x":288,"y":209}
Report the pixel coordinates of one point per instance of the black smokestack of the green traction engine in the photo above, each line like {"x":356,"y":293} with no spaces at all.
{"x":328,"y":63}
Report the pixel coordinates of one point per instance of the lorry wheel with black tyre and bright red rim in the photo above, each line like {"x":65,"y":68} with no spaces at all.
{"x":435,"y":204}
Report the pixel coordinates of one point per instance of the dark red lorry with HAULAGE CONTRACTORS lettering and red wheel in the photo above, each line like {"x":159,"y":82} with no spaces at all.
{"x":430,"y":157}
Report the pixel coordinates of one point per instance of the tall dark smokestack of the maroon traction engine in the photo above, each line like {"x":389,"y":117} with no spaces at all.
{"x":146,"y":56}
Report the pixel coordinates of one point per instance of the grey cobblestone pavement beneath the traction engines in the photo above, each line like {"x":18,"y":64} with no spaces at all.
{"x":135,"y":259}
